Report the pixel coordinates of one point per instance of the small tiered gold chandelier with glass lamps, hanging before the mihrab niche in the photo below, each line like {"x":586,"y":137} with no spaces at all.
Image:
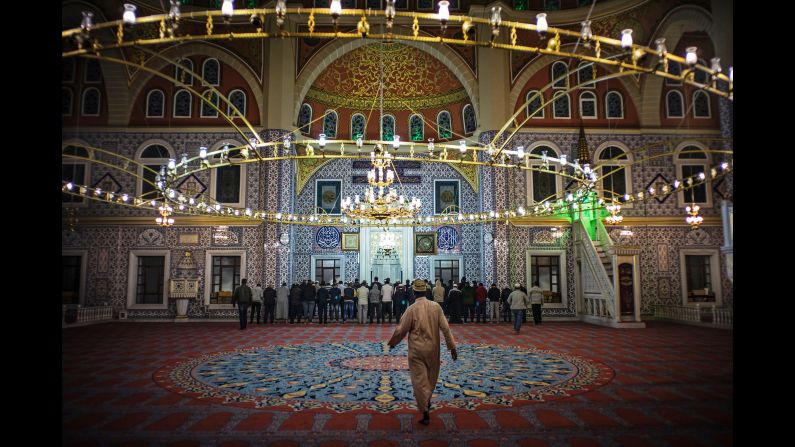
{"x":381,"y":201}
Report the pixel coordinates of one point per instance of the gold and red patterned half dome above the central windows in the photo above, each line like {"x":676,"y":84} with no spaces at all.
{"x":410,"y":76}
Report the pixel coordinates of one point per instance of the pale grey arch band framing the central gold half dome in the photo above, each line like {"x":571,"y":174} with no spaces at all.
{"x":334,"y":50}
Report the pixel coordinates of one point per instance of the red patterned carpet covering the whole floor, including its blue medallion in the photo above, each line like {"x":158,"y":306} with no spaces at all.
{"x":559,"y":384}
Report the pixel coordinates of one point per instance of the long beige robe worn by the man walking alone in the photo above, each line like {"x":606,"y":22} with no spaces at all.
{"x":422,"y":322}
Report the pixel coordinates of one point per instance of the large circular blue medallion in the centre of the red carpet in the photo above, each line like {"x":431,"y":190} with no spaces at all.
{"x":367,"y":375}
